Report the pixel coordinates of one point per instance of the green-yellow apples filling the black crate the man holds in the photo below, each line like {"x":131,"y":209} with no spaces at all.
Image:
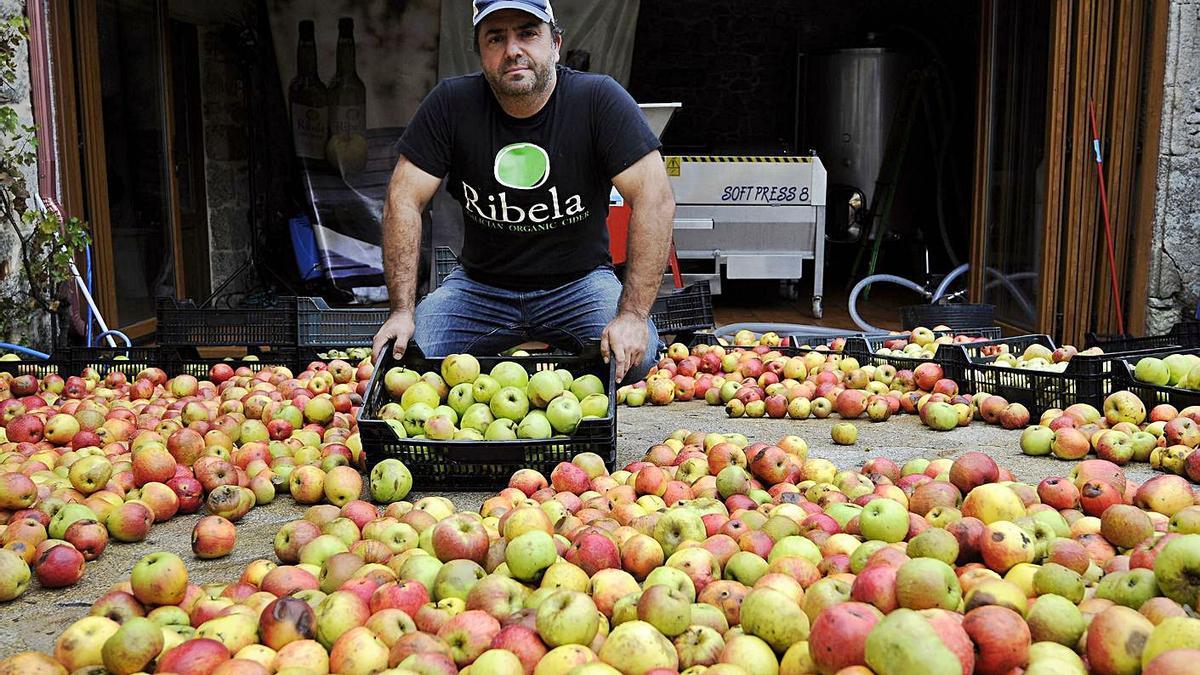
{"x":463,"y":404}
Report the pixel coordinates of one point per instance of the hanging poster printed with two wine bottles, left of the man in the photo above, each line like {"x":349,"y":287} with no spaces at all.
{"x":355,"y":73}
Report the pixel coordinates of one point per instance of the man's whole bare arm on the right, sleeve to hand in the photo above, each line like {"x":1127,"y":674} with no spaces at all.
{"x":646,"y":189}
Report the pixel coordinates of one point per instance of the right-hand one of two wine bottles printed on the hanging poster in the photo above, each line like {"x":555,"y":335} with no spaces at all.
{"x":347,"y":148}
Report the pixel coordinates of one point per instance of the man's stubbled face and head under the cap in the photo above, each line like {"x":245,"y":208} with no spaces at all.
{"x":518,"y":53}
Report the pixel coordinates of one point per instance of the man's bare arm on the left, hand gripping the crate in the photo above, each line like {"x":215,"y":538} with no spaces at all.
{"x":409,"y":193}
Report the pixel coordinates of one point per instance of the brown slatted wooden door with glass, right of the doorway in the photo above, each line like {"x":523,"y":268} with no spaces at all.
{"x":1040,"y":249}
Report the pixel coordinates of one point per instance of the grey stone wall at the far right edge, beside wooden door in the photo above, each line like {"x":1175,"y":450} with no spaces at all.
{"x":1175,"y":255}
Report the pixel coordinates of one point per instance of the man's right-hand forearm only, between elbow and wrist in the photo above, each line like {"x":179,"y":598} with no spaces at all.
{"x":650,"y":243}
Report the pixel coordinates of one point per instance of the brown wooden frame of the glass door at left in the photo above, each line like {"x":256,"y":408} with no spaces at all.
{"x":83,"y":166}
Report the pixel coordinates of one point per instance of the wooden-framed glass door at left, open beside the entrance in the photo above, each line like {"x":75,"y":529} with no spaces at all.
{"x":115,"y":93}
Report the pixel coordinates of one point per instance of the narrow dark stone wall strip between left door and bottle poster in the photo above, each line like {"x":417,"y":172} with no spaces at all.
{"x":226,"y":159}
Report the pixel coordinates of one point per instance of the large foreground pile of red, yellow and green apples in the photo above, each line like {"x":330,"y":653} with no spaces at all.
{"x":709,"y":555}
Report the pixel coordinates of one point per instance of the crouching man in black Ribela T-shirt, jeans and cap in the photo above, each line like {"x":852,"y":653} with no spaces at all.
{"x":532,"y":151}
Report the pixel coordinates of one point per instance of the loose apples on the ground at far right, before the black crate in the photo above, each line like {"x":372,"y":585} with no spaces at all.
{"x":1121,"y":433}
